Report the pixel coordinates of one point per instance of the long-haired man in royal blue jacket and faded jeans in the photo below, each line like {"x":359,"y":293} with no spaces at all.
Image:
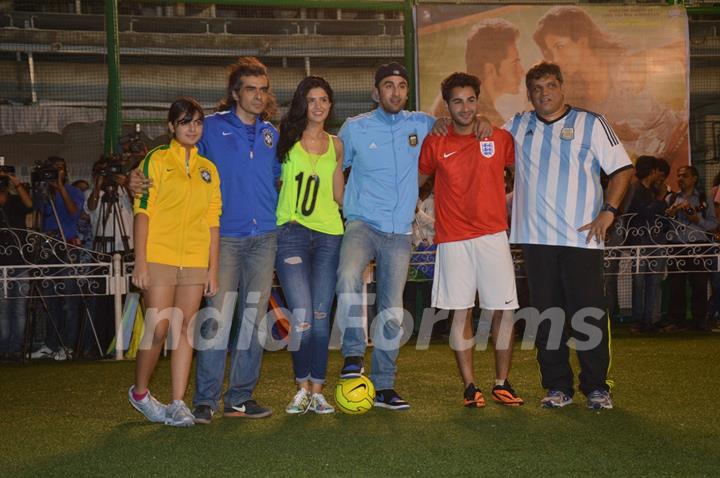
{"x":241,"y":144}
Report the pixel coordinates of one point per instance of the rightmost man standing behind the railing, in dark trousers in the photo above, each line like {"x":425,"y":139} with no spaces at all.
{"x":697,"y":221}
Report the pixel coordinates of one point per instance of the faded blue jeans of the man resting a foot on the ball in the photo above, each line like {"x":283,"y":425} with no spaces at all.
{"x":391,"y":252}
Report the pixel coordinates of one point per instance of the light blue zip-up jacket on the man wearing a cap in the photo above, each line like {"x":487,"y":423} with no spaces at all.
{"x":383,"y":151}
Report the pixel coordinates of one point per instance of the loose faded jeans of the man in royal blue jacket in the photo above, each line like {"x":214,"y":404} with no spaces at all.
{"x":246,"y":267}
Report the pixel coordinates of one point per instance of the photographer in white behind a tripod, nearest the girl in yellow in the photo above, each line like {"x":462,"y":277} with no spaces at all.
{"x":110,"y":207}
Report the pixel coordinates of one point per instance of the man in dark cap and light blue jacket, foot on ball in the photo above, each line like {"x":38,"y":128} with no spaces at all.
{"x":382,"y":148}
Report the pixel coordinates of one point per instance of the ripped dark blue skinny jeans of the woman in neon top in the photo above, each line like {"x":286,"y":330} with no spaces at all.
{"x":306,"y":264}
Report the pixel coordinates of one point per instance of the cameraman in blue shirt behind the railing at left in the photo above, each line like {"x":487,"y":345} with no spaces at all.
{"x":61,"y":209}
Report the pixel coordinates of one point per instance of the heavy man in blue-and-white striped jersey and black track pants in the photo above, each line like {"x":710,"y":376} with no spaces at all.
{"x":560,"y":217}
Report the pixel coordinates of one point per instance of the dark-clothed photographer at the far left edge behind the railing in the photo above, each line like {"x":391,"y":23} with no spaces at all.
{"x":14,"y":208}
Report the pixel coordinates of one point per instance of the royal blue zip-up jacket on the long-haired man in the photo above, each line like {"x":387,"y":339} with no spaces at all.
{"x":247,"y":175}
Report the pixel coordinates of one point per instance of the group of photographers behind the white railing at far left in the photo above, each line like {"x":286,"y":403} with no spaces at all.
{"x":75,"y":217}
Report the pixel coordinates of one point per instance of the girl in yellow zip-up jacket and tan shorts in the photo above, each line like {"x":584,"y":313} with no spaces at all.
{"x":176,"y":256}
